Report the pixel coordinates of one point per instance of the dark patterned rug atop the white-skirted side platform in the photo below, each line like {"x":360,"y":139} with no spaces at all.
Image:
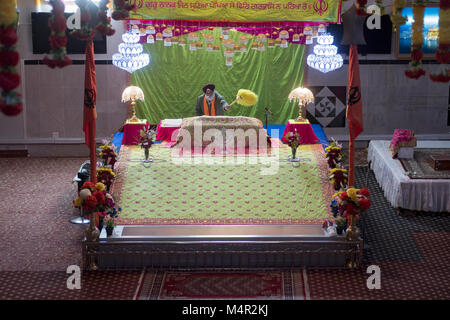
{"x":419,"y":167}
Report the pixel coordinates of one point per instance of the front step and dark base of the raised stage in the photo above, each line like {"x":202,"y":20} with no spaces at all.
{"x":224,"y":246}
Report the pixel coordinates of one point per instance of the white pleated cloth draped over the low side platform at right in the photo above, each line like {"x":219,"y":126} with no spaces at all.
{"x":402,"y":191}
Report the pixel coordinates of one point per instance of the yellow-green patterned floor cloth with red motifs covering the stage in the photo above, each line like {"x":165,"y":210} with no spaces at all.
{"x":174,"y":190}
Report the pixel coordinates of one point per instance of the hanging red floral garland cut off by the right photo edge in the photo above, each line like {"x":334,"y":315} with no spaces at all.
{"x":443,"y":51}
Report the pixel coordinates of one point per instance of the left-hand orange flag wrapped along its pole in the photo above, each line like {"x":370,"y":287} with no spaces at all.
{"x":89,"y":111}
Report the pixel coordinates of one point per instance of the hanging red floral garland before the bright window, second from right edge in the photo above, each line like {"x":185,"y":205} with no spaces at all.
{"x":416,"y":70}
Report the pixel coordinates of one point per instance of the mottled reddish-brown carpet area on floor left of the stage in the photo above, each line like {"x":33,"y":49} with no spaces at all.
{"x":35,"y":207}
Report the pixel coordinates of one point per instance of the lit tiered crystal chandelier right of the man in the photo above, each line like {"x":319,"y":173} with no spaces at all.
{"x":325,"y":57}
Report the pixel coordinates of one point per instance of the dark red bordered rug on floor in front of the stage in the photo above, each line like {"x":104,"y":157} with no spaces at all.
{"x":171,"y":285}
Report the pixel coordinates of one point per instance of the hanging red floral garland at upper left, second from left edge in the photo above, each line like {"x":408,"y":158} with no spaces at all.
{"x":58,"y":38}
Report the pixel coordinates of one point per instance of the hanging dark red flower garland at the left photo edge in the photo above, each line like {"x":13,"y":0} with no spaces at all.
{"x":10,"y":100}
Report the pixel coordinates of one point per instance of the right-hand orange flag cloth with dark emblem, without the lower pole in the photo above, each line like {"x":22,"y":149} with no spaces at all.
{"x":354,"y":102}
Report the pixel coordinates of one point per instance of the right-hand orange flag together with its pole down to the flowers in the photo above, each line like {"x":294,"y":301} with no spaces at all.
{"x":354,"y":108}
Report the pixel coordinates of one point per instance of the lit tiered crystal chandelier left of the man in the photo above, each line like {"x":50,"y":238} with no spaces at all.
{"x":130,"y":56}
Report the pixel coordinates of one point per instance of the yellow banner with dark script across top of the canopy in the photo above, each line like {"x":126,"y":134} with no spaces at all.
{"x":237,"y":10}
